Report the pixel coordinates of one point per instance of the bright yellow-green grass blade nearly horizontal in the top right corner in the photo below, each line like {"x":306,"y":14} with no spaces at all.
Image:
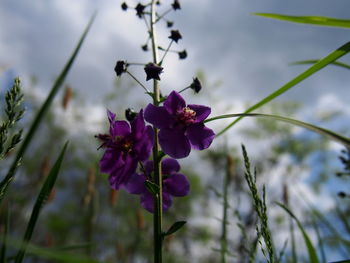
{"x":312,"y":20}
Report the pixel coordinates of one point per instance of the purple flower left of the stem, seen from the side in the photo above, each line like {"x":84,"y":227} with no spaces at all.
{"x":125,"y":147}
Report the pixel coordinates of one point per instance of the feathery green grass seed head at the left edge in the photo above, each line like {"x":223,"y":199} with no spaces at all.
{"x":14,"y":112}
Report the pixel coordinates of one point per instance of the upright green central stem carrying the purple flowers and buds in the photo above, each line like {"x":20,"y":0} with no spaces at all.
{"x":157,"y":219}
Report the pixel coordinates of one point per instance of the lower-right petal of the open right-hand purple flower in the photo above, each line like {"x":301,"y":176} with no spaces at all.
{"x":200,"y":136}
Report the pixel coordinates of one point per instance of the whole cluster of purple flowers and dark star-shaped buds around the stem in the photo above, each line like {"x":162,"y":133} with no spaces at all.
{"x":180,"y":128}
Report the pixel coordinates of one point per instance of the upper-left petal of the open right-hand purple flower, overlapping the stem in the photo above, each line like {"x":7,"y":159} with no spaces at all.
{"x":158,"y":116}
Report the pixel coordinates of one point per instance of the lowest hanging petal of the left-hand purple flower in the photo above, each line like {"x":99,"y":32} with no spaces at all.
{"x":120,"y":176}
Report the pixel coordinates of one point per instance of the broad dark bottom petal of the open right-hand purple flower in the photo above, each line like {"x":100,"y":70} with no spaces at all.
{"x":174,"y":143}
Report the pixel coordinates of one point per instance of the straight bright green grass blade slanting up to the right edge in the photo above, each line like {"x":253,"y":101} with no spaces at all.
{"x":333,"y":56}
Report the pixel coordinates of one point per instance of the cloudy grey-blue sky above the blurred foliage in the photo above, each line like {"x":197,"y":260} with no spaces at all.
{"x":248,"y":56}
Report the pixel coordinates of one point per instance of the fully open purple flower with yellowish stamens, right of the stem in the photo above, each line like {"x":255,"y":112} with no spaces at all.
{"x":181,"y":127}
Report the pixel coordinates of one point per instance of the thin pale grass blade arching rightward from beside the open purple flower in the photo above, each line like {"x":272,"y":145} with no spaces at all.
{"x":330,"y":134}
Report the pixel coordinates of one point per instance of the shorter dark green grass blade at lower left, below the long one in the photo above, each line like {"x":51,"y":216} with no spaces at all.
{"x":41,"y":199}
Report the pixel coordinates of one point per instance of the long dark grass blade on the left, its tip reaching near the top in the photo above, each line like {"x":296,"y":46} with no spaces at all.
{"x":40,"y":115}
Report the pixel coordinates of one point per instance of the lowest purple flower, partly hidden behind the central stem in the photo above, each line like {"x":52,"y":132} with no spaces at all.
{"x":174,"y":184}
